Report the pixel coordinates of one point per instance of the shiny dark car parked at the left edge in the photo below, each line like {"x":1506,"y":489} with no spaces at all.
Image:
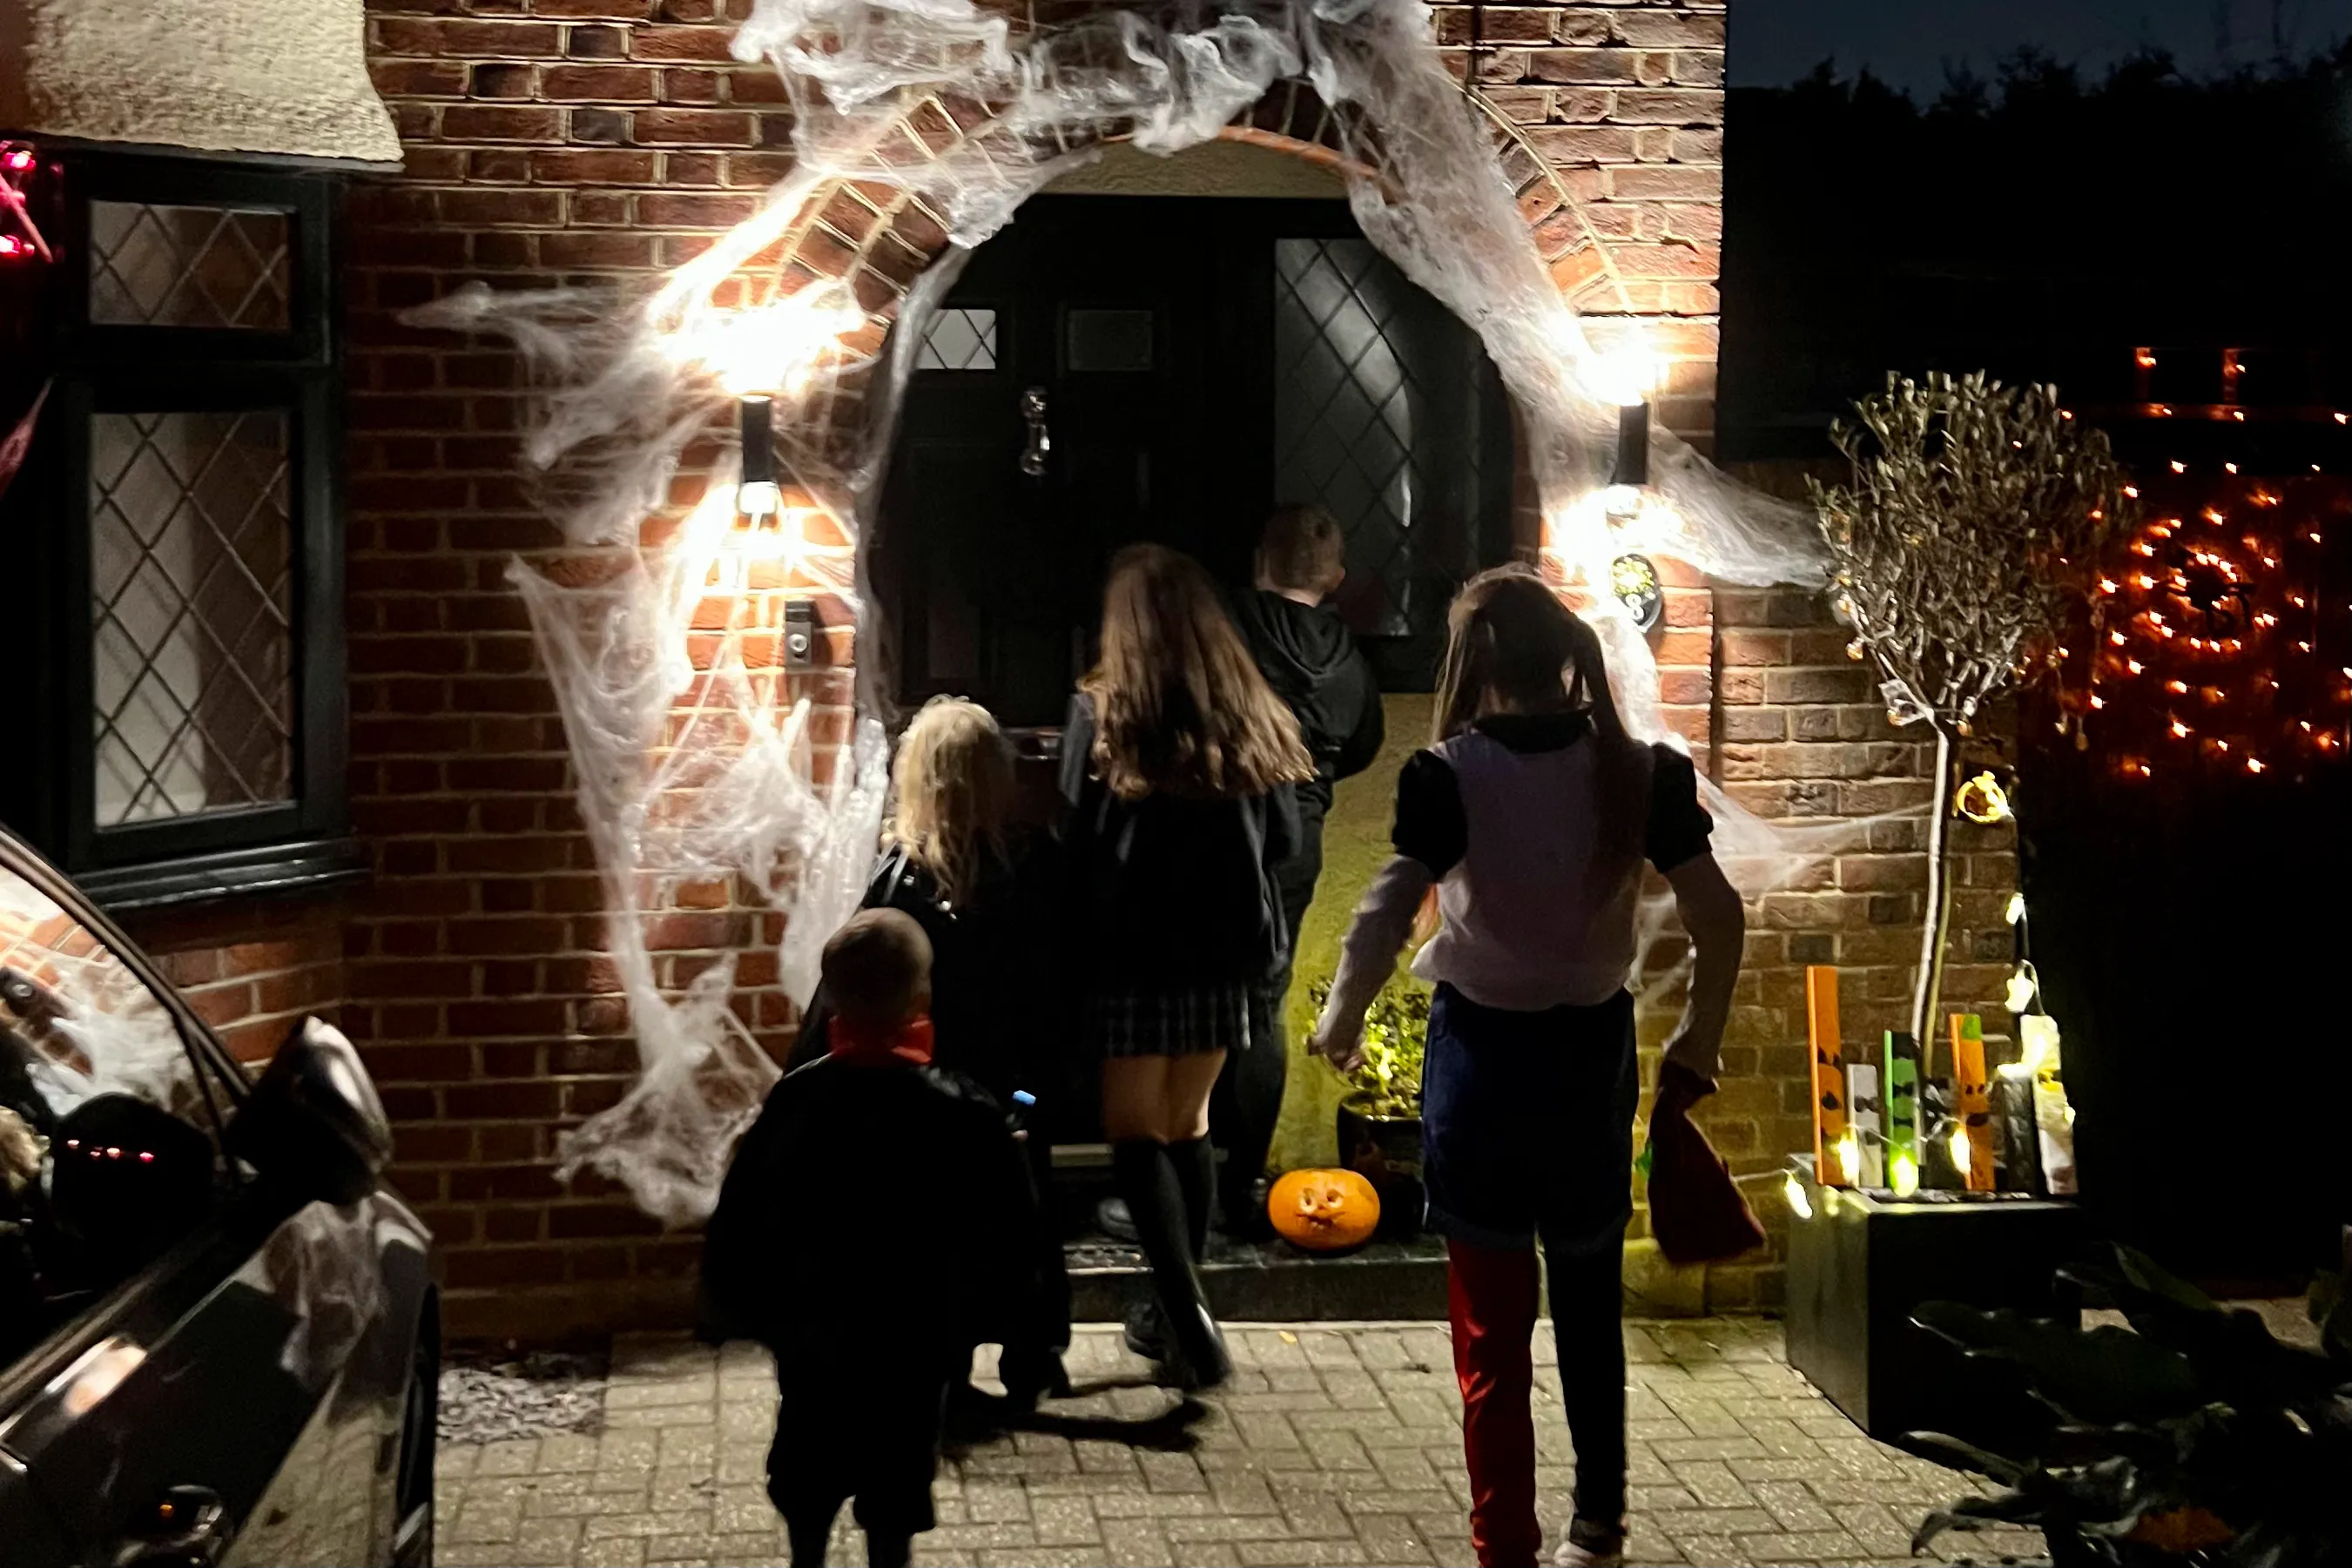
{"x":220,"y":1336}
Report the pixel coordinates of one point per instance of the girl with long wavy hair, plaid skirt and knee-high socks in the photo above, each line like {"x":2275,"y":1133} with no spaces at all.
{"x":1180,"y":765}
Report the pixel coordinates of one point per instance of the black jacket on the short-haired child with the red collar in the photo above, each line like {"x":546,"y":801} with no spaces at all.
{"x":874,"y":1207}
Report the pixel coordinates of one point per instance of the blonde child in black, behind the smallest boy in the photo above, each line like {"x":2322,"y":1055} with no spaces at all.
{"x":984,"y":894}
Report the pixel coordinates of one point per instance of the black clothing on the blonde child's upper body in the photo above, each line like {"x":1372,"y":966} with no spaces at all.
{"x":998,"y":1007}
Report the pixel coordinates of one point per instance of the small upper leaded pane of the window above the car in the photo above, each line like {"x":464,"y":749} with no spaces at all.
{"x":189,"y":267}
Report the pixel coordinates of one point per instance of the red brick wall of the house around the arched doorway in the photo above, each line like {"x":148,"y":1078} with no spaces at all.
{"x":606,"y":140}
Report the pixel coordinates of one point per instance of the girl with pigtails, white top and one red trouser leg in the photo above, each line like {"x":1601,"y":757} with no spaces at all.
{"x":1532,"y":817}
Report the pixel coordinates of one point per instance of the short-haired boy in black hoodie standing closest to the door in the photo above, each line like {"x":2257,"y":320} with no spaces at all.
{"x":1314,"y":664}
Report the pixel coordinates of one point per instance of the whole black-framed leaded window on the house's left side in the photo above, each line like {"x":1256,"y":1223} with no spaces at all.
{"x":180,"y":537}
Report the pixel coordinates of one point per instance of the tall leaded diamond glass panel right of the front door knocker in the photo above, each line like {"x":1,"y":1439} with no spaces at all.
{"x":1347,"y":413}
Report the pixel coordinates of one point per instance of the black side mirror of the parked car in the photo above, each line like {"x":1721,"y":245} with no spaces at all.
{"x":314,"y":1125}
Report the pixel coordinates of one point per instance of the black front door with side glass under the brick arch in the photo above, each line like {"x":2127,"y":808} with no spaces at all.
{"x":1198,"y":361}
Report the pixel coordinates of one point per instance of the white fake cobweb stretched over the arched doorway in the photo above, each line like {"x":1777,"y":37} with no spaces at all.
{"x":693,"y":758}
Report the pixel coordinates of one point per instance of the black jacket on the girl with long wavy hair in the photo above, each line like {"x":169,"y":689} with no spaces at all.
{"x":1172,"y":892}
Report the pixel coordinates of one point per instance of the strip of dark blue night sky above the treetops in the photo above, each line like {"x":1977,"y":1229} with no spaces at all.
{"x":1909,"y":41}
